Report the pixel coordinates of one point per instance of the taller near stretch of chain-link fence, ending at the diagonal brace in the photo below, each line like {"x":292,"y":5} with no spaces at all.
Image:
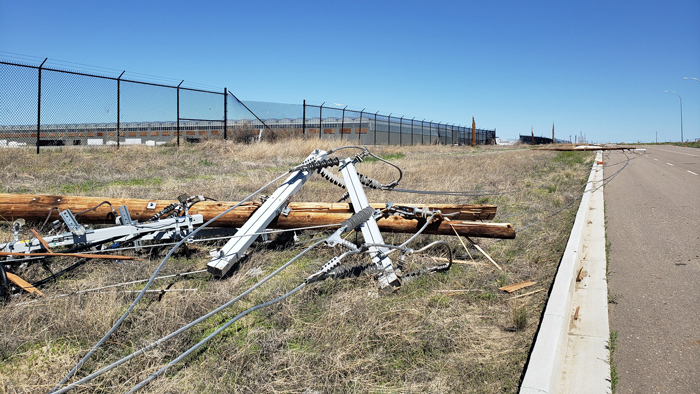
{"x":45,"y":106}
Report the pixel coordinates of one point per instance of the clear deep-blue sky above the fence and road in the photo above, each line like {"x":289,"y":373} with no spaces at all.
{"x":594,"y":67}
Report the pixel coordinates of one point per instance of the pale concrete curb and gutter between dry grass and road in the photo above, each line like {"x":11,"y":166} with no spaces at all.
{"x":570,"y":353}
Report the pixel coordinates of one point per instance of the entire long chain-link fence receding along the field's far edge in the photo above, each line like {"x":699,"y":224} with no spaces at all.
{"x":42,"y":105}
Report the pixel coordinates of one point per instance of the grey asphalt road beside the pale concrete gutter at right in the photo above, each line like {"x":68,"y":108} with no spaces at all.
{"x":653,"y":226}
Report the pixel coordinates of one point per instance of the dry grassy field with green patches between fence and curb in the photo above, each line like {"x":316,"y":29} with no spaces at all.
{"x":451,"y":332}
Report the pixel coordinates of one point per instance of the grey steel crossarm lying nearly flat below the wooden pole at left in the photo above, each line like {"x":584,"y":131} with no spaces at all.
{"x":159,"y":230}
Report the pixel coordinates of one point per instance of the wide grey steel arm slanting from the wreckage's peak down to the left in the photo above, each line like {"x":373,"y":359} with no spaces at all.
{"x":235,"y":248}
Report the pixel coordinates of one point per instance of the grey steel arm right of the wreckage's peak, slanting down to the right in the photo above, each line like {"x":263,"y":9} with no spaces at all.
{"x":370,"y":230}
